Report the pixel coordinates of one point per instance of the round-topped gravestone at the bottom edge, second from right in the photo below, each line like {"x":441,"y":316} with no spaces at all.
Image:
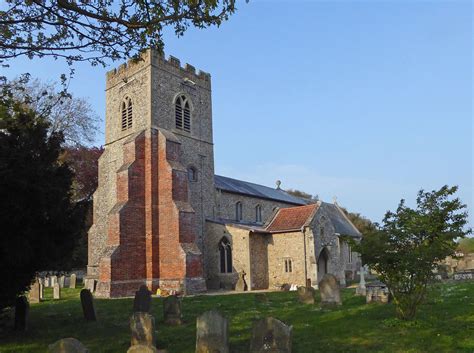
{"x":212,"y":333}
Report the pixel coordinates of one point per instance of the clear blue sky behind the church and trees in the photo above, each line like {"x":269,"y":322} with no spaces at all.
{"x":368,"y":101}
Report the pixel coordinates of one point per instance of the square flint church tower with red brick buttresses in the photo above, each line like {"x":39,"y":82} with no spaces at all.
{"x":156,"y":179}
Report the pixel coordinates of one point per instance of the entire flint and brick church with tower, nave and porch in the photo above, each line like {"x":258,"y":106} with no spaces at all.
{"x":164,"y":219}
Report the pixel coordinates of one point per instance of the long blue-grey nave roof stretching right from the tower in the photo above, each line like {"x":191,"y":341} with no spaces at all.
{"x":259,"y":191}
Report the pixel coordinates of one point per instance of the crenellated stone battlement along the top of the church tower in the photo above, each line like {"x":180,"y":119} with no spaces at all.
{"x":155,"y":58}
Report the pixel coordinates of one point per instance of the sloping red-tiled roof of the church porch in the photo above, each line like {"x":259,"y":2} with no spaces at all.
{"x":292,"y":218}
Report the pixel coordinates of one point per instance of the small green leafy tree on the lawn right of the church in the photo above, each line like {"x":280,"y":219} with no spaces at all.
{"x":411,"y":242}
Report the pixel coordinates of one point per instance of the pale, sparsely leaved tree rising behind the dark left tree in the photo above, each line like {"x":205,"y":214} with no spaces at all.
{"x":72,"y":116}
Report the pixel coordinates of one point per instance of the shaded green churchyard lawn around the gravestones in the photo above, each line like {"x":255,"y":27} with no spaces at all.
{"x":444,"y":324}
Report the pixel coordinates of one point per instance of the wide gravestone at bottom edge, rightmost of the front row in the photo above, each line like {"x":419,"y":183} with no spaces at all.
{"x":270,"y":335}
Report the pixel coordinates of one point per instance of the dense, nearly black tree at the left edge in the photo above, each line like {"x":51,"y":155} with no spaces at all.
{"x":39,"y":221}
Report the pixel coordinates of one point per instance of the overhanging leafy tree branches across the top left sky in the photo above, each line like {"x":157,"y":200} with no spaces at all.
{"x":96,"y":30}
